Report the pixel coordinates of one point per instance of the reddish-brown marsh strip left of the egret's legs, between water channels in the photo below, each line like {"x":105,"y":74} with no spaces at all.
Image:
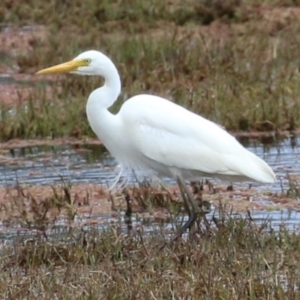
{"x":39,"y":208}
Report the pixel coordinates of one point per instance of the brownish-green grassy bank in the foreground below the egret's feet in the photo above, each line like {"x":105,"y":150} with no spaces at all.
{"x":228,"y":258}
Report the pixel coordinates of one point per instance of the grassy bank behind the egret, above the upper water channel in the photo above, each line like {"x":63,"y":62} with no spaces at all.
{"x":235,"y":62}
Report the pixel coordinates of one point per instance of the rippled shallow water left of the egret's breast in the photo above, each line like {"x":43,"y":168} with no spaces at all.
{"x":50,"y":164}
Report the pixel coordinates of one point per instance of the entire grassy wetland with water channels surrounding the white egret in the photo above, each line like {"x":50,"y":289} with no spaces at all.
{"x":235,"y":62}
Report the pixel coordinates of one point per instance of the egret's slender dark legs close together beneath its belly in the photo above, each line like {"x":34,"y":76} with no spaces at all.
{"x":195,"y":209}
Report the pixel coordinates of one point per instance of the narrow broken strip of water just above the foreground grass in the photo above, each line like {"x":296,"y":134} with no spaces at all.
{"x":271,"y":221}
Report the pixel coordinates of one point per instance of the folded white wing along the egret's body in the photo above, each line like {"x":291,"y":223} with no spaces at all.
{"x":175,"y":137}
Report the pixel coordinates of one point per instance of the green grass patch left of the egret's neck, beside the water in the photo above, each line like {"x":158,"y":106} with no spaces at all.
{"x":41,"y":117}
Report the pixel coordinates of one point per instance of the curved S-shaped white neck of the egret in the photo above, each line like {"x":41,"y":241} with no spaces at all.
{"x":103,"y":122}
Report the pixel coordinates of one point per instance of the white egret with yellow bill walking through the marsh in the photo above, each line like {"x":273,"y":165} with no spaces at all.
{"x":151,"y":133}
